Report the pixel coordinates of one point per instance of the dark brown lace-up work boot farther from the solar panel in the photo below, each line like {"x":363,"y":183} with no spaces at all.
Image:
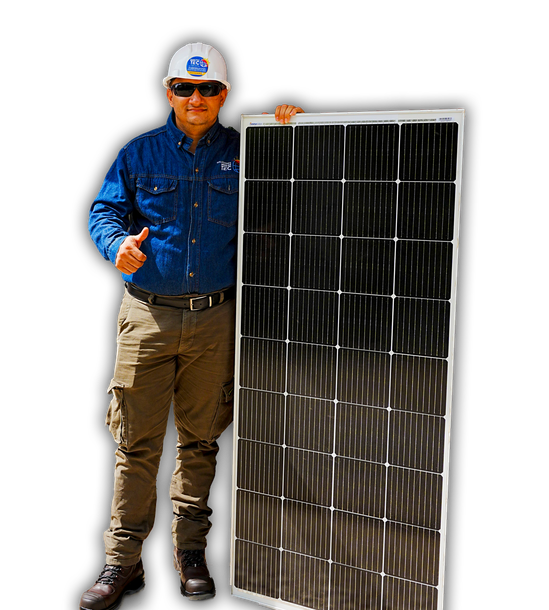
{"x":114,"y":585}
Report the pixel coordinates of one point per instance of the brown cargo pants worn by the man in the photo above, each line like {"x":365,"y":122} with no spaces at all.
{"x":167,"y":356}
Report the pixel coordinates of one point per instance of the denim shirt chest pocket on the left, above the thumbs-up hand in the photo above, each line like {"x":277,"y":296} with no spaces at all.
{"x":156,"y":199}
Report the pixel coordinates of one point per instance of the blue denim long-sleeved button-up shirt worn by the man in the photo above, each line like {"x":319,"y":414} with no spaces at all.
{"x":188,"y":201}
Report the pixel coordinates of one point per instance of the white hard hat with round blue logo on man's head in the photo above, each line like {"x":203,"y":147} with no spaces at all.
{"x":195,"y":61}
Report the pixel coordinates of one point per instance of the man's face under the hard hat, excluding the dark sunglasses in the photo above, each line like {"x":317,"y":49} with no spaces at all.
{"x":195,"y":112}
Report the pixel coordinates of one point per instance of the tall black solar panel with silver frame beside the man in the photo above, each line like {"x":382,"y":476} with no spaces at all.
{"x":347,"y":282}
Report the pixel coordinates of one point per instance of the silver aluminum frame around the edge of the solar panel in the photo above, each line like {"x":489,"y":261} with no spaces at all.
{"x":352,"y":118}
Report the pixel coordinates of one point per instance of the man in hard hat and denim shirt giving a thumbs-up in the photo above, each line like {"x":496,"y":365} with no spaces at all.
{"x":166,"y":218}
